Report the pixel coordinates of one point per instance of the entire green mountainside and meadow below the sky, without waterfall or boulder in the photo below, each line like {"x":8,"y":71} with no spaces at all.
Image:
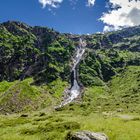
{"x":35,"y":70}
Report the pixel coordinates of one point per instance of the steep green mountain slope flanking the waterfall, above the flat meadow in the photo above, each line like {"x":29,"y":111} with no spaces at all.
{"x":44,"y":56}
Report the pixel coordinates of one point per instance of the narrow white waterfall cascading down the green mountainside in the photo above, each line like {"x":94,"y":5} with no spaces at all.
{"x":75,"y":90}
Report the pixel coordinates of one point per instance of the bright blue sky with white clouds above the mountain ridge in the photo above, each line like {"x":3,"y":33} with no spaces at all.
{"x":69,"y":17}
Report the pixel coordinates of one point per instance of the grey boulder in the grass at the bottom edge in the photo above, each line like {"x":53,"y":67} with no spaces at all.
{"x":86,"y":135}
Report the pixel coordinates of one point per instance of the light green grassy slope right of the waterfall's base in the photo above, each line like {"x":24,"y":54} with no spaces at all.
{"x":120,"y":93}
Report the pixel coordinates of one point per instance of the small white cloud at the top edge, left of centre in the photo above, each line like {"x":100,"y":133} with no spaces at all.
{"x":51,"y":3}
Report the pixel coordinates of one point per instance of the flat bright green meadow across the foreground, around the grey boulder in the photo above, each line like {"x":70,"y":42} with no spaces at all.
{"x":56,"y":125}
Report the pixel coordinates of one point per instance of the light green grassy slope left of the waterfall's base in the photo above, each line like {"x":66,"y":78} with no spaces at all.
{"x":24,"y":96}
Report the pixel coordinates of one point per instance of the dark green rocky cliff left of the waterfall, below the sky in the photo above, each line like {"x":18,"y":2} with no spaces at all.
{"x":37,"y":52}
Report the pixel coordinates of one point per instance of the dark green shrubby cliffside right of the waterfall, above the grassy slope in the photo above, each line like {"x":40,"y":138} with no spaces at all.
{"x":100,"y":65}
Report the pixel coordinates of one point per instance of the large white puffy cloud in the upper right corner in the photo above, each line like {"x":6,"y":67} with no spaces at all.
{"x":124,"y":13}
